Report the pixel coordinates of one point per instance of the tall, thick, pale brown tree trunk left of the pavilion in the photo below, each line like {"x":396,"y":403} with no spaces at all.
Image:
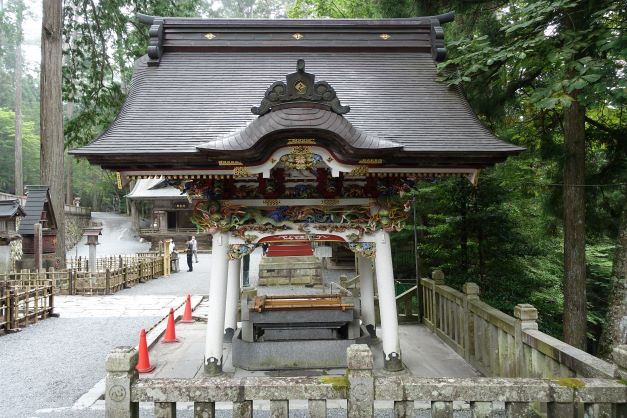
{"x":51,"y":114}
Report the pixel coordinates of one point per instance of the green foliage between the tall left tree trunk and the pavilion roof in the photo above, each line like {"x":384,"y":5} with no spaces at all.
{"x":104,"y":39}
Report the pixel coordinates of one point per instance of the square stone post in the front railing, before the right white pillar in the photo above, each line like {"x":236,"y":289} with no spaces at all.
{"x":361,"y":381}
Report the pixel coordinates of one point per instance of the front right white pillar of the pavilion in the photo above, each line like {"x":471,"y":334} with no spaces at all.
{"x":387,"y":303}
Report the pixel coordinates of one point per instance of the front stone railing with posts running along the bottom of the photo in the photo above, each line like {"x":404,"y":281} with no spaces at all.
{"x":360,"y":387}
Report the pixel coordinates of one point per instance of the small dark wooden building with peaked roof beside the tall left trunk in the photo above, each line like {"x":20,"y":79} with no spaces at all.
{"x":38,"y":209}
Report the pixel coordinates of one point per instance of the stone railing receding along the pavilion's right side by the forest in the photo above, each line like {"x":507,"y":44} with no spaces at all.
{"x":497,"y":344}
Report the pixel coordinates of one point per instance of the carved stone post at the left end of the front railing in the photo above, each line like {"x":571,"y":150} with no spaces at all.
{"x":121,"y":374}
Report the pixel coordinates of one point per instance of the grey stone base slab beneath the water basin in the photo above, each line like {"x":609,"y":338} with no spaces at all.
{"x":280,"y":355}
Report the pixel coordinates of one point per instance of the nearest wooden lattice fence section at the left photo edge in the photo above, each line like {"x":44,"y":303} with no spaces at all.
{"x":24,"y":302}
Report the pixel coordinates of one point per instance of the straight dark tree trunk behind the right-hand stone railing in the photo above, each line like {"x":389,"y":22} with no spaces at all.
{"x":574,"y":226}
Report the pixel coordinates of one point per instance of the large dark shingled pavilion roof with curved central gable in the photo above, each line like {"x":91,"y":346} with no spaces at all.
{"x":190,"y":99}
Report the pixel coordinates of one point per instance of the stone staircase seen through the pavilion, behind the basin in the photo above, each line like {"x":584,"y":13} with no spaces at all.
{"x":286,"y":270}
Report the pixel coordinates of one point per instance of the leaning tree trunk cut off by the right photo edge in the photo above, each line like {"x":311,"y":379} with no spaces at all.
{"x":615,"y":331}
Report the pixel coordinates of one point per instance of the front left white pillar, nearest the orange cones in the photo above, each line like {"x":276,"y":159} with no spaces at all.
{"x":217,"y":303}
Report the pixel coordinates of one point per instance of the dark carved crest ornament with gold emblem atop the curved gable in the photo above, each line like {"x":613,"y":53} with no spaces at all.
{"x":300,"y":87}
